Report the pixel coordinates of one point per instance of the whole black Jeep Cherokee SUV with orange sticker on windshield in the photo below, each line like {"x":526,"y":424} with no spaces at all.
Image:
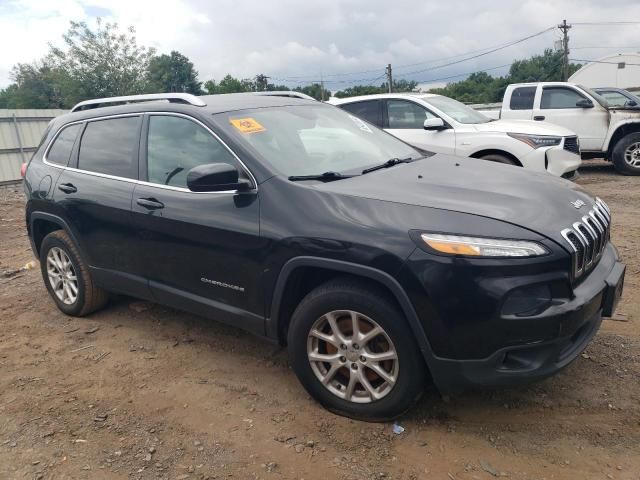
{"x":378,"y":267}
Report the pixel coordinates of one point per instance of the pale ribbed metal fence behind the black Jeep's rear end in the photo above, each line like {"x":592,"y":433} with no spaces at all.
{"x":20,"y":134}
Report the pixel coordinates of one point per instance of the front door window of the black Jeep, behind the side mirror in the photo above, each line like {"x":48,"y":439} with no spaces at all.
{"x":175,"y":145}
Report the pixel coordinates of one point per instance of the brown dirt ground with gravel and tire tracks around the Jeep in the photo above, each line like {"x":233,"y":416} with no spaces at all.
{"x":142,"y":391}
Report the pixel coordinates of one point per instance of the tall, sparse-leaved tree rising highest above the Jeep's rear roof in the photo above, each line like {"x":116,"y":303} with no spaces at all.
{"x":104,"y":62}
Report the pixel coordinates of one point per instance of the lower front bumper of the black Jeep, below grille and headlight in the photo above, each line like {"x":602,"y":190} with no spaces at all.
{"x":574,"y":321}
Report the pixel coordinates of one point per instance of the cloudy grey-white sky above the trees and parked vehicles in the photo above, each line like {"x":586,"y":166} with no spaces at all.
{"x":341,"y":41}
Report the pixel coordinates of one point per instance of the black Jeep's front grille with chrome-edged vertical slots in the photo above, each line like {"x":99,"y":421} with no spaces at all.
{"x":588,"y":238}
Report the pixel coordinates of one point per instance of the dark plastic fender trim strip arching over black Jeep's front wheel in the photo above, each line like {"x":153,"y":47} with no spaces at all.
{"x":272,"y":323}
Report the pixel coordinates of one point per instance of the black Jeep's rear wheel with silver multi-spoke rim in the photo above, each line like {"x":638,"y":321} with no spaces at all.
{"x":67,"y":277}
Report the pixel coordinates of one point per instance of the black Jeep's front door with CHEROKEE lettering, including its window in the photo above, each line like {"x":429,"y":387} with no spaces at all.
{"x":198,"y":250}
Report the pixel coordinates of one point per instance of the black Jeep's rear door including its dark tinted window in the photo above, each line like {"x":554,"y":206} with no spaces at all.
{"x":94,"y":194}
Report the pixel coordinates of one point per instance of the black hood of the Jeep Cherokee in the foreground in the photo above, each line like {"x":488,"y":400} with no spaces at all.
{"x":539,"y":202}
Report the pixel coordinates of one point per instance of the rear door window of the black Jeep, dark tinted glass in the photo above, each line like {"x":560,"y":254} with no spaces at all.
{"x":110,"y":146}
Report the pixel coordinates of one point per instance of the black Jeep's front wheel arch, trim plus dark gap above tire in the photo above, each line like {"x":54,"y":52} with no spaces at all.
{"x":289,"y":291}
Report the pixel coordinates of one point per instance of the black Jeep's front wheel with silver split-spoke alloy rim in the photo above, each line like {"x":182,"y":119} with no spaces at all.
{"x":352,"y":350}
